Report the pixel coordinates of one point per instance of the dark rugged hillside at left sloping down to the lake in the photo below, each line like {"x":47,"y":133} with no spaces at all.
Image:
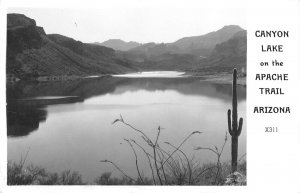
{"x":31,"y":53}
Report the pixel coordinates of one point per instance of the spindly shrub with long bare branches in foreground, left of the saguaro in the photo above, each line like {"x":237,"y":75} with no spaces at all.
{"x":172,"y":166}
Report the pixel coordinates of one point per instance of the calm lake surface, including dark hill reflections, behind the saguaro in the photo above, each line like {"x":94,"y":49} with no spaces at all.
{"x":67,"y":125}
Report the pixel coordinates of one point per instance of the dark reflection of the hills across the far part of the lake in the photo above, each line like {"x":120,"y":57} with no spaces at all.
{"x":25,"y":112}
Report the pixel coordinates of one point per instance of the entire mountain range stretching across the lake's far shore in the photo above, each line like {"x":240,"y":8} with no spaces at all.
{"x":32,"y":53}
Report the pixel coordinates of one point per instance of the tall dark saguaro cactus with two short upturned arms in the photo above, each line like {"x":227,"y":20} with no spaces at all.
{"x":234,"y":127}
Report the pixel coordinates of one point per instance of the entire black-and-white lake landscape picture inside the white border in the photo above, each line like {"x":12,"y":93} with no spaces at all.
{"x":126,"y":96}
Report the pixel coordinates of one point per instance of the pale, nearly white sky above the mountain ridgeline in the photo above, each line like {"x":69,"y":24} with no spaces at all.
{"x":142,"y":24}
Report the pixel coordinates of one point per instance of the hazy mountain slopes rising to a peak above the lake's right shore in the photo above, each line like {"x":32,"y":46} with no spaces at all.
{"x":189,"y":53}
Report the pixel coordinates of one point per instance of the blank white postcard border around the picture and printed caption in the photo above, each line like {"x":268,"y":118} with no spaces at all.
{"x":273,"y":161}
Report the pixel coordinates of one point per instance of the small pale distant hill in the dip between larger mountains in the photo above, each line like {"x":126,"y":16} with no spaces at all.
{"x":118,"y":44}
